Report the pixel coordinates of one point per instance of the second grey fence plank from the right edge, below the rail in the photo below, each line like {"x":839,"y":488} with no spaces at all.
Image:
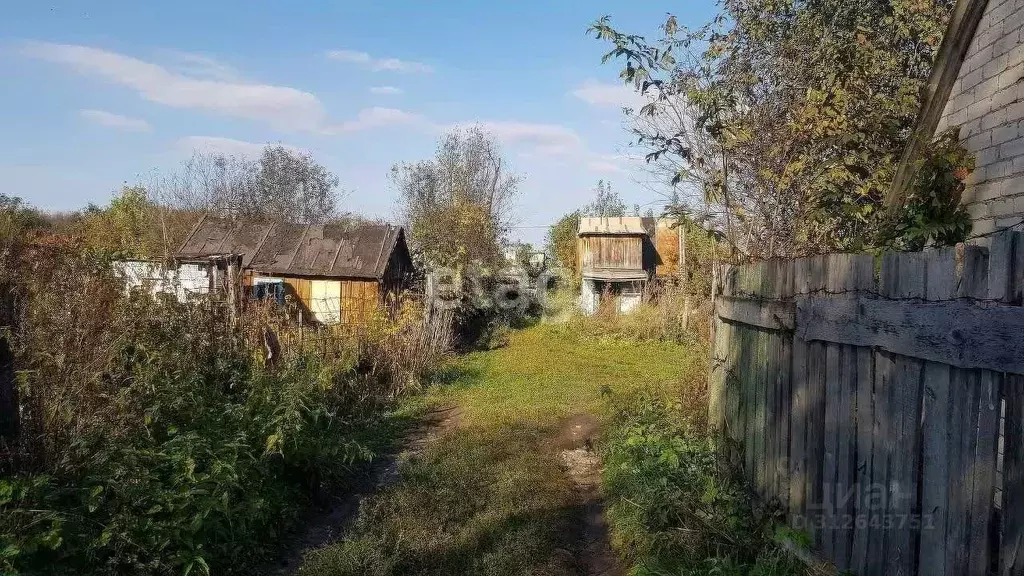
{"x":990,"y":391}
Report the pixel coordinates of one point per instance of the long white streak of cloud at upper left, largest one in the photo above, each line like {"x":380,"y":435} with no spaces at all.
{"x":282,"y":107}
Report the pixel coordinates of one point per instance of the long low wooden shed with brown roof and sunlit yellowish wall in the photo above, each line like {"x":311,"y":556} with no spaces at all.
{"x":335,"y":273}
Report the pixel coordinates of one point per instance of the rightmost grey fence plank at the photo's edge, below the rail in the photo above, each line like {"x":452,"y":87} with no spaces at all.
{"x":1012,"y":547}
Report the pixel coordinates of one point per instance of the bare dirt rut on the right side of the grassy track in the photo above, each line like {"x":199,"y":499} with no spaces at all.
{"x":593,"y":555}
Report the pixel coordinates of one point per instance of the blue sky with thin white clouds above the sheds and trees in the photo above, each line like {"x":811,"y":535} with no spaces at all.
{"x":100,"y":94}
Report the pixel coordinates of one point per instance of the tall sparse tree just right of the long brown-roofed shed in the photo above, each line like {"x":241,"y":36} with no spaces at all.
{"x":458,"y":205}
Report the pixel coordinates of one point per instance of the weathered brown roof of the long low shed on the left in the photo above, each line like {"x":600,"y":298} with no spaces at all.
{"x":328,"y":251}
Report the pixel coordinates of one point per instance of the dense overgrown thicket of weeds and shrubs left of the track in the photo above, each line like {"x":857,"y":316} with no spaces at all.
{"x":156,"y":440}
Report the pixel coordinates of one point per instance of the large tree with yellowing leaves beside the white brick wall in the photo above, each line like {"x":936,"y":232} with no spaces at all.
{"x":786,"y":119}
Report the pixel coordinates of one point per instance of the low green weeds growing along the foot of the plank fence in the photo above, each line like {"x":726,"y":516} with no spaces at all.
{"x":675,"y":506}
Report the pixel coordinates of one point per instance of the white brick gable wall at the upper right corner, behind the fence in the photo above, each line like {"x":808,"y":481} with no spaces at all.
{"x":988,"y":104}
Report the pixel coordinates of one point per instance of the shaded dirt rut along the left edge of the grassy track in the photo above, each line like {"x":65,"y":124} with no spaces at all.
{"x":327,"y":525}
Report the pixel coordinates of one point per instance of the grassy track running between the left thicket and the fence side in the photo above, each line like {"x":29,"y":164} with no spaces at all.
{"x":511,"y":488}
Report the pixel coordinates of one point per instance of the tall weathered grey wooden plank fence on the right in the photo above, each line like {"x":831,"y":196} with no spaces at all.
{"x":882,"y":403}
